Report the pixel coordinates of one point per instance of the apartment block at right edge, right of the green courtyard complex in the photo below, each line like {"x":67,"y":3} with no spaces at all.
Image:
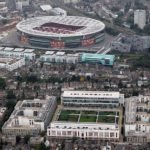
{"x":137,"y":119}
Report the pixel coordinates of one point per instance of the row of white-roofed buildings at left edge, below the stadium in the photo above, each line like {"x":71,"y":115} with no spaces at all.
{"x":28,"y":54}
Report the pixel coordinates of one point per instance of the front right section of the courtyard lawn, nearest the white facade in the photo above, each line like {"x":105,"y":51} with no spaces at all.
{"x":106,"y":119}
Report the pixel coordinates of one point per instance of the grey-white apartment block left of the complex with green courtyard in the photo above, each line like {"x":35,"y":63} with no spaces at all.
{"x":30,"y":117}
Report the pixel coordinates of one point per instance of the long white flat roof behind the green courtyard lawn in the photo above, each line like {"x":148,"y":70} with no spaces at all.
{"x":92,"y":94}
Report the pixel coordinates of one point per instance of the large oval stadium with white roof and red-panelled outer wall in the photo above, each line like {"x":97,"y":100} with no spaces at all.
{"x":60,"y":31}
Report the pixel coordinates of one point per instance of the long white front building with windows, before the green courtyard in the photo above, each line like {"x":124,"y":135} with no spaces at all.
{"x":83,"y":130}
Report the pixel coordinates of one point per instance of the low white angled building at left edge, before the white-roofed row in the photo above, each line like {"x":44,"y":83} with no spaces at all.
{"x":11,"y":64}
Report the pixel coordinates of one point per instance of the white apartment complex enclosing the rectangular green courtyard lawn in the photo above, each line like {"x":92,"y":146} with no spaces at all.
{"x":91,"y":114}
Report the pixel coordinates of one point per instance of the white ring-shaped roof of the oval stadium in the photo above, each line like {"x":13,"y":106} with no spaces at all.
{"x":90,"y":25}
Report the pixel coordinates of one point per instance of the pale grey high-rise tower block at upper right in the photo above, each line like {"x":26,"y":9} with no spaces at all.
{"x":140,"y":18}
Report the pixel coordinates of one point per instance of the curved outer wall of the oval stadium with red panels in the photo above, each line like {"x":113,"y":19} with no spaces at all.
{"x":61,"y":42}
